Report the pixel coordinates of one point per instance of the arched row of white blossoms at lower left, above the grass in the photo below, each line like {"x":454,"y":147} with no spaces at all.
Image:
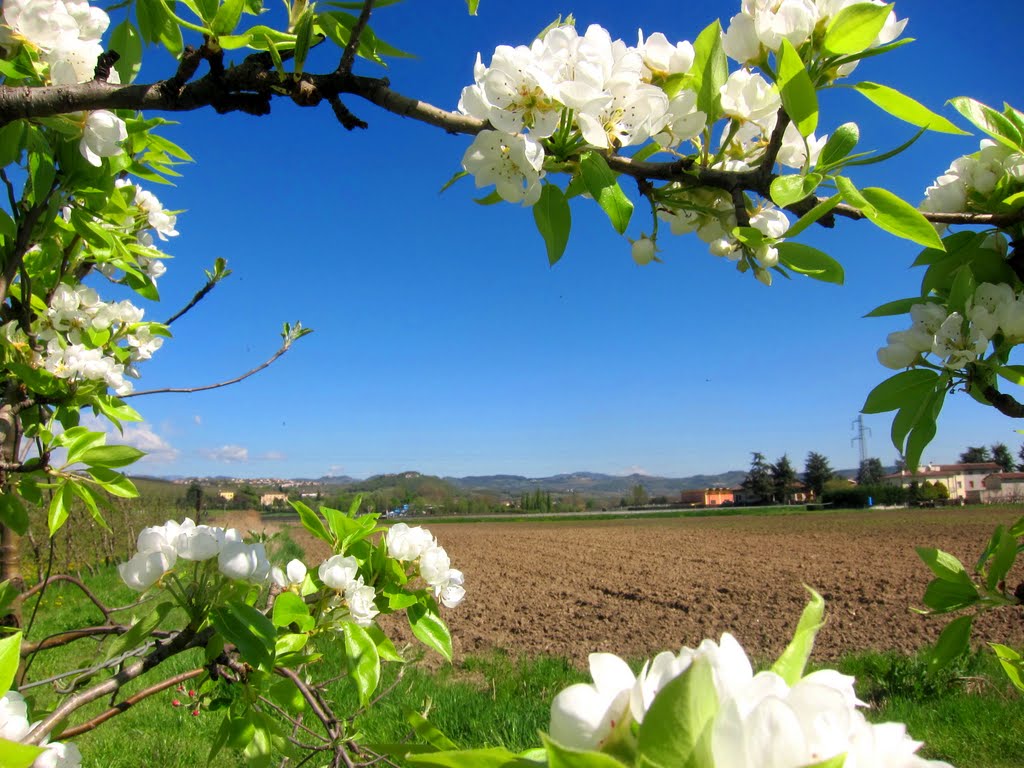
{"x":160,"y":547}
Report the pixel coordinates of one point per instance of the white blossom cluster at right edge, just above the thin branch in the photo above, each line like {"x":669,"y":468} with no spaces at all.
{"x":971,"y":181}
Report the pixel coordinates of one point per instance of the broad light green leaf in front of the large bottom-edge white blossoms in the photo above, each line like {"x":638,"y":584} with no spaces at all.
{"x":676,"y":731}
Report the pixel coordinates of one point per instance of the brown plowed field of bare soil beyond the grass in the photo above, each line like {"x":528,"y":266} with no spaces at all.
{"x":637,"y":587}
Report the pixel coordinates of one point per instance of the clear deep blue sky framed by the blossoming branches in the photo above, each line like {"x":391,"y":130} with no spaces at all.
{"x":444,"y":342}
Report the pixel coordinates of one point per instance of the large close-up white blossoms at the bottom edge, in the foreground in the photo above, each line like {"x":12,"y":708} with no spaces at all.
{"x":761,"y":720}
